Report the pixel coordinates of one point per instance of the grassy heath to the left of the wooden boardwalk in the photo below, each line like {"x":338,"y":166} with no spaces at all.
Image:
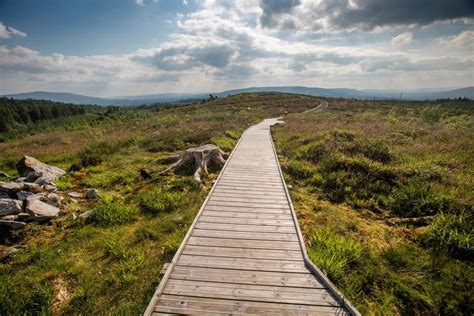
{"x":112,"y":265}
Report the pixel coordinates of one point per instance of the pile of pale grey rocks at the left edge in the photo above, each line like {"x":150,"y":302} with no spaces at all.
{"x":32,"y":197}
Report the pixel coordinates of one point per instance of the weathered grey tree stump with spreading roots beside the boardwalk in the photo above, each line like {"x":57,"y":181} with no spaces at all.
{"x":201,"y":157}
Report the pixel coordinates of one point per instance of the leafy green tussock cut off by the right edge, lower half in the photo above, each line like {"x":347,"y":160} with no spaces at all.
{"x":453,"y":234}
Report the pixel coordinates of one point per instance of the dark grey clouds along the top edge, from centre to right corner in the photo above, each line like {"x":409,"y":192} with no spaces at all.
{"x":366,"y":15}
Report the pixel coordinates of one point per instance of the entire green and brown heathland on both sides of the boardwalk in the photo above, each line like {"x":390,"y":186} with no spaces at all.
{"x":383,"y":191}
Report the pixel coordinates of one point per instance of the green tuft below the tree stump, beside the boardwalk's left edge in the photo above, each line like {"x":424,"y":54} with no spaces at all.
{"x":157,"y":201}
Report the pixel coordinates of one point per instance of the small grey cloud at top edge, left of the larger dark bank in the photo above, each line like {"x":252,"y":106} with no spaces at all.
{"x":272,"y":9}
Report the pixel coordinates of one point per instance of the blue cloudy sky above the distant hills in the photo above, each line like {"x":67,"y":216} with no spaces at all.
{"x":111,"y":48}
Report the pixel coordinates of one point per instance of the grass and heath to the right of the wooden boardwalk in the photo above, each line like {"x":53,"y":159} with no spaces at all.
{"x":384,"y":198}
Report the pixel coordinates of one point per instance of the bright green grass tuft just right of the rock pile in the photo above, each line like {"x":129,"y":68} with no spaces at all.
{"x":113,"y":212}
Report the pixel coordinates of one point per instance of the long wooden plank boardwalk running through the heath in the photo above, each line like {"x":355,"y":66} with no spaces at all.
{"x":244,"y":253}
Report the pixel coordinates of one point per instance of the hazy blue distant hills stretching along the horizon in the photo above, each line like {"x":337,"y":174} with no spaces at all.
{"x":467,"y":92}
